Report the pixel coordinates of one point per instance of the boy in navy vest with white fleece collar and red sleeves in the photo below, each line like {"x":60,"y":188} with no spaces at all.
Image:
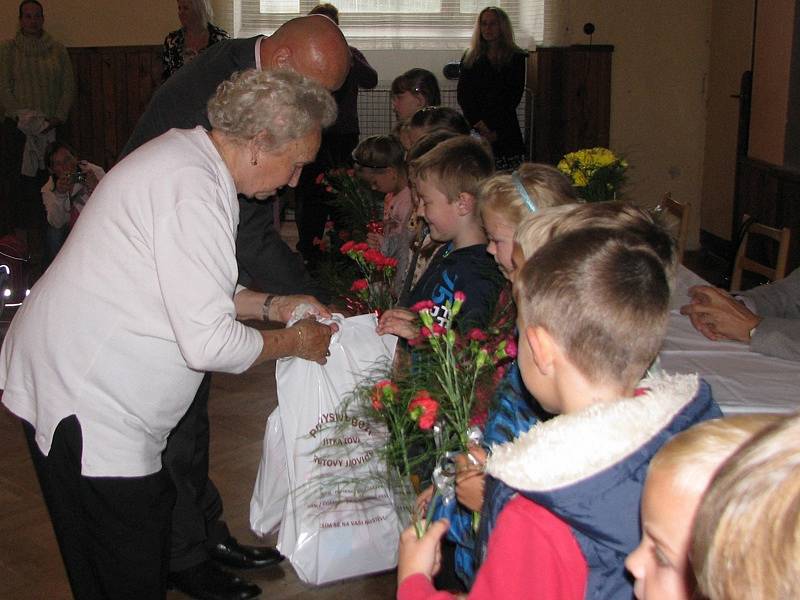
{"x":562,"y":502}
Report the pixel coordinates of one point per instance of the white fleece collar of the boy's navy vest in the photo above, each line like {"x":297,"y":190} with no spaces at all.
{"x":571,"y":447}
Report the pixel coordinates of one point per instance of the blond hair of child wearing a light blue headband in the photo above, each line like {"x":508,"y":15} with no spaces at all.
{"x":534,"y":186}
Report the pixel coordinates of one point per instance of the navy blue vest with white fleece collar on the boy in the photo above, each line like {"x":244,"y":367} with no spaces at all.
{"x":588,"y":468}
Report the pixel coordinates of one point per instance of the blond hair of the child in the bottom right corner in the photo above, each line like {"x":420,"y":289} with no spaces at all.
{"x":746,"y":538}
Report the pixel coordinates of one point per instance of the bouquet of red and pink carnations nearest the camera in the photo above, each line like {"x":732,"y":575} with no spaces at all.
{"x":432,"y":406}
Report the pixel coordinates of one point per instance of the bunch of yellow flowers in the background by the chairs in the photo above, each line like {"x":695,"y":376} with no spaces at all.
{"x":596,"y":173}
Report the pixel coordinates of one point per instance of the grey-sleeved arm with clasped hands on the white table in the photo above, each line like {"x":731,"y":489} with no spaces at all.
{"x":766,"y":317}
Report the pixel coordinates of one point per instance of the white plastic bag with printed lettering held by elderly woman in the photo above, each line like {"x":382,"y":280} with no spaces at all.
{"x":332,"y":527}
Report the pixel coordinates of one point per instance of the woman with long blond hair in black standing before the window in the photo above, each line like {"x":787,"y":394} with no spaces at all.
{"x":490,"y":86}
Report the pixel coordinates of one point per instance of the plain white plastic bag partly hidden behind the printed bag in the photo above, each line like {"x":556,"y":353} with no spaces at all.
{"x":272,"y":483}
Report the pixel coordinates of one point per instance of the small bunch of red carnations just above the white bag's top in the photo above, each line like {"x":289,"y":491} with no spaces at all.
{"x":371,"y":292}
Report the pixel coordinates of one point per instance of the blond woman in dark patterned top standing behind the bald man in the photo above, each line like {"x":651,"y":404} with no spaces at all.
{"x":195,"y":35}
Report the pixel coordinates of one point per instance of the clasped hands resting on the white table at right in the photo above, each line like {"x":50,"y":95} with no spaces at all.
{"x":719,"y":316}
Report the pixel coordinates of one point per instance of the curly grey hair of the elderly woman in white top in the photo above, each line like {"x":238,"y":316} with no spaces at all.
{"x":281,"y":105}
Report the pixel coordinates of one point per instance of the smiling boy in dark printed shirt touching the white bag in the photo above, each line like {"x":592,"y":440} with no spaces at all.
{"x":447,"y":179}
